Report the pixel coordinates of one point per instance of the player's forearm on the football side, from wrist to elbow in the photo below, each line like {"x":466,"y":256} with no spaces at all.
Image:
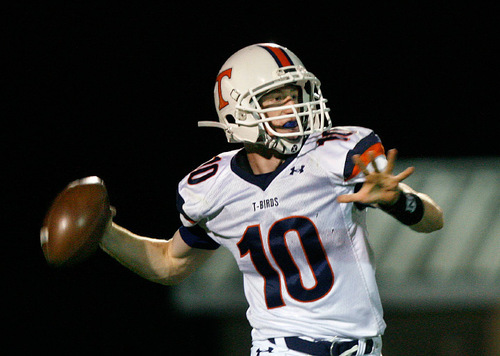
{"x":144,"y":256}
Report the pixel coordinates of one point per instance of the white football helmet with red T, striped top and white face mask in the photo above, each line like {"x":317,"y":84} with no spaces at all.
{"x":257,"y":70}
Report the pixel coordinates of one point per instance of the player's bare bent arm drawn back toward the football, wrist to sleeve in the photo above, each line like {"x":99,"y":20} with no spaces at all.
{"x":166,"y":262}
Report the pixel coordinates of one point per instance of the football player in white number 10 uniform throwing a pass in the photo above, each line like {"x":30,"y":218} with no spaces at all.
{"x":290,"y":206}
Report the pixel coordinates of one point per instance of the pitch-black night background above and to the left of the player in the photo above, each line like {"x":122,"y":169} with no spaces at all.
{"x":116,"y":90}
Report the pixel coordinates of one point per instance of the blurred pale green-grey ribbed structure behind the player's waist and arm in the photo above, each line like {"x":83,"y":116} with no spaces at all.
{"x":458,"y":265}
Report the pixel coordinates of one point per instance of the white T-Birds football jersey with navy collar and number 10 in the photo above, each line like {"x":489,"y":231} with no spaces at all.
{"x":306,"y":262}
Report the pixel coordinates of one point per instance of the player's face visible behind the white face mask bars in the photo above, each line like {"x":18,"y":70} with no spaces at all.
{"x":281,"y":99}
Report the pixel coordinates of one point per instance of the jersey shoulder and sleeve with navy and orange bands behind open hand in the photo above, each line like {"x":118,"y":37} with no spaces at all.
{"x":341,"y":144}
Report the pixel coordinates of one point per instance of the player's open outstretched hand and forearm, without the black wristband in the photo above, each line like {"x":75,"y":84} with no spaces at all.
{"x":383,"y":189}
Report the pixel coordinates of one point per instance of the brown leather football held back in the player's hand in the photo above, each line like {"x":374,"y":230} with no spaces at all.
{"x":75,"y":222}
